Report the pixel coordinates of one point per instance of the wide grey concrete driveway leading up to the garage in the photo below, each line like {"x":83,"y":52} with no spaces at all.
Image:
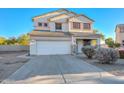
{"x":62,"y":69}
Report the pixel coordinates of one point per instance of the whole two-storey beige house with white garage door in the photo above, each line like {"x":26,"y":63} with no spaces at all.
{"x":61,"y":32}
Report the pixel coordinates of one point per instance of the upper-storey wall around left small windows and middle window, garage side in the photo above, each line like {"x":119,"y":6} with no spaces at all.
{"x":51,"y":24}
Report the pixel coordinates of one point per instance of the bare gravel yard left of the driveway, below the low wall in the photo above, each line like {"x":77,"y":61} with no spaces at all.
{"x":10,"y":62}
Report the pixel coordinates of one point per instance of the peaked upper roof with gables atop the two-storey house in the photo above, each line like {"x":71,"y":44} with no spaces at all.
{"x":62,"y":14}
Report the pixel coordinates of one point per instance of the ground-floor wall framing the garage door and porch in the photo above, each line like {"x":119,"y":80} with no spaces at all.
{"x":74,"y":47}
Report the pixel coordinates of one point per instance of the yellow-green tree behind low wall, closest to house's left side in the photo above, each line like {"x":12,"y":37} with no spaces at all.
{"x":23,"y":39}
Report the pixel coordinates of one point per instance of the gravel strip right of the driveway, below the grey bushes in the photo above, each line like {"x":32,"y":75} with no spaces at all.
{"x":115,"y":69}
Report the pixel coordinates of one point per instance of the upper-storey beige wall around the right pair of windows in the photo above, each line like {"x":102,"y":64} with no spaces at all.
{"x":82,"y":20}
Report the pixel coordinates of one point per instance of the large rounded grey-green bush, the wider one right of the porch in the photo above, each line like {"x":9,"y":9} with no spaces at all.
{"x":107,"y":55}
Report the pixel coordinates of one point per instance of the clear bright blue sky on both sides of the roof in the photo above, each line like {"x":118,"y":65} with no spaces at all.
{"x":17,"y":21}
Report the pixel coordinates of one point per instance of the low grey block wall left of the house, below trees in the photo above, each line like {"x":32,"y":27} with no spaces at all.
{"x":13,"y":48}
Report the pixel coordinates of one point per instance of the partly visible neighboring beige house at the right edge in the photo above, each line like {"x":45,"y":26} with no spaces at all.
{"x":119,"y":30}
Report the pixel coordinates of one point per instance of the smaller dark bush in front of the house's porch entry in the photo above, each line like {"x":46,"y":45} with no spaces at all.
{"x":89,"y":51}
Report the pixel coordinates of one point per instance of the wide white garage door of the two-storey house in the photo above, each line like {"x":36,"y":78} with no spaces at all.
{"x":53,"y":47}
